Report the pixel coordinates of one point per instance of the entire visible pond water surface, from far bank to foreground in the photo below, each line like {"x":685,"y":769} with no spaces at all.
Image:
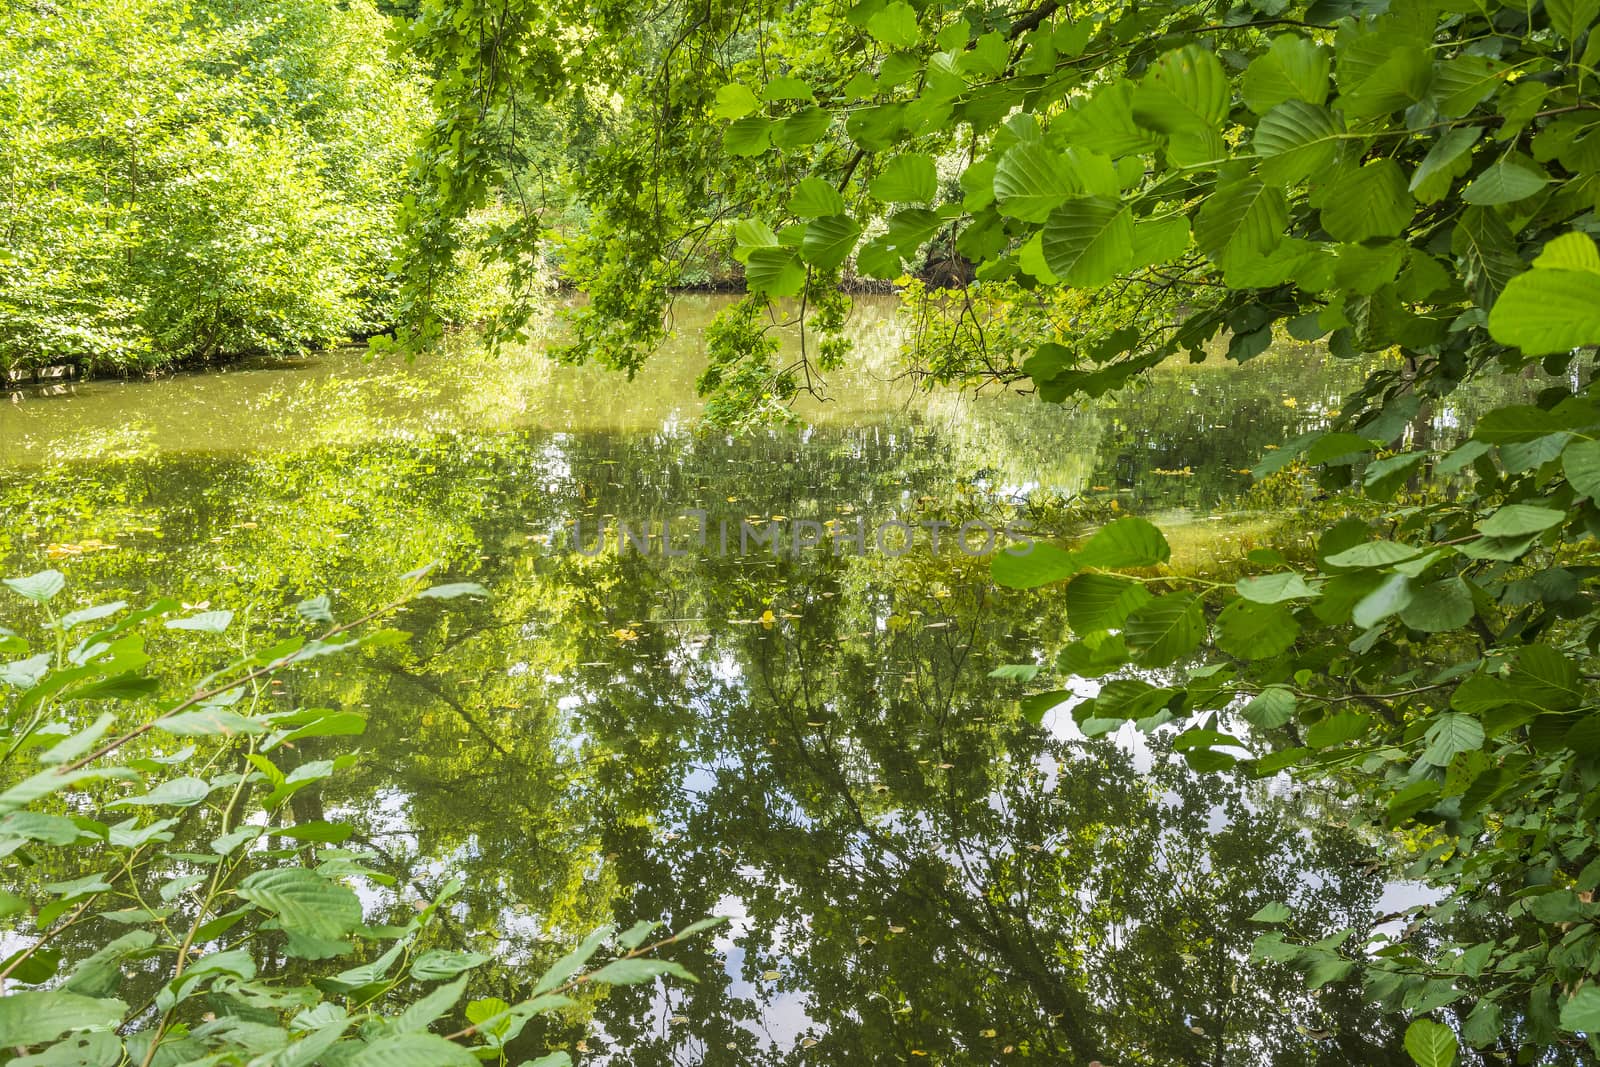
{"x":809,"y":743}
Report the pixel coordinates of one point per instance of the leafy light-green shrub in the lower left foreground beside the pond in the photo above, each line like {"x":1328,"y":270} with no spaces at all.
{"x":199,"y":925}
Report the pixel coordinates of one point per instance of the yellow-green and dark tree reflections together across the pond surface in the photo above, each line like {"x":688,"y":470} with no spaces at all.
{"x":918,"y":863}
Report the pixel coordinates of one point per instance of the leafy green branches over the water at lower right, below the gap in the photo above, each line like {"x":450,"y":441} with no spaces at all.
{"x":1446,"y":668}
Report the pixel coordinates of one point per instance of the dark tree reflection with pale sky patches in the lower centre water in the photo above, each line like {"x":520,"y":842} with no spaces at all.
{"x":930,"y":874}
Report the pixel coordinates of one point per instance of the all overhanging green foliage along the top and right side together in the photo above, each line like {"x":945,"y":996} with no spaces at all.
{"x":1407,"y":177}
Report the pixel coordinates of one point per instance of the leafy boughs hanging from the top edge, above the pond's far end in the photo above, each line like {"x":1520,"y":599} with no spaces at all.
{"x":1375,"y":175}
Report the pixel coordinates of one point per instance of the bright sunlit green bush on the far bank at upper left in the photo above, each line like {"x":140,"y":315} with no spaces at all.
{"x":198,"y":182}
